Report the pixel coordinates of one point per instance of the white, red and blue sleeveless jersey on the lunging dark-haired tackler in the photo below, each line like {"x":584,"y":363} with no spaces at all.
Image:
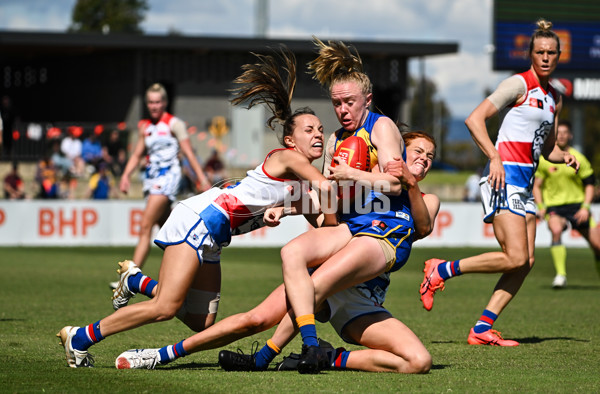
{"x":239,"y":209}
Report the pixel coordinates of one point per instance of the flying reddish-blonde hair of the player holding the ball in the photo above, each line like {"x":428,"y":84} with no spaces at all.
{"x":338,"y":63}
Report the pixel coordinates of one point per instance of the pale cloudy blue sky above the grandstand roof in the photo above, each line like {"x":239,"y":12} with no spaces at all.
{"x":461,"y":78}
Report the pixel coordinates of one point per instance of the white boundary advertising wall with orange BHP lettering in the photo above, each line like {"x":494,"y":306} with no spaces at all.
{"x":86,"y":222}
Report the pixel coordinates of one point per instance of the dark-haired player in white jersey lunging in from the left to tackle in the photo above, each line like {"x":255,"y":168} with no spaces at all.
{"x":199,"y":227}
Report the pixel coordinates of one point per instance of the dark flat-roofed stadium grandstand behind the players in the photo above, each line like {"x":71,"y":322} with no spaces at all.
{"x":60,"y":80}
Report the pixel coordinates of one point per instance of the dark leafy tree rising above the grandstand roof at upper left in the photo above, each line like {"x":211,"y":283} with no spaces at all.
{"x":122,"y":16}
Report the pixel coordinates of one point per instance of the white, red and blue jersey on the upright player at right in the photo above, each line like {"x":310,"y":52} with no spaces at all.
{"x":523,"y":130}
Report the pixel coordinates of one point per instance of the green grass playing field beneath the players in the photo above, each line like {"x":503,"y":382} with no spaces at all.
{"x":43,"y":289}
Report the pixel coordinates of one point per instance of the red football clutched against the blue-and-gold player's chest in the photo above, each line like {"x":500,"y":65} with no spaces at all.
{"x":355,"y":153}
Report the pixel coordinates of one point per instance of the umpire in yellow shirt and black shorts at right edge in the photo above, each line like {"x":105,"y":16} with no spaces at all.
{"x":562,"y":195}
